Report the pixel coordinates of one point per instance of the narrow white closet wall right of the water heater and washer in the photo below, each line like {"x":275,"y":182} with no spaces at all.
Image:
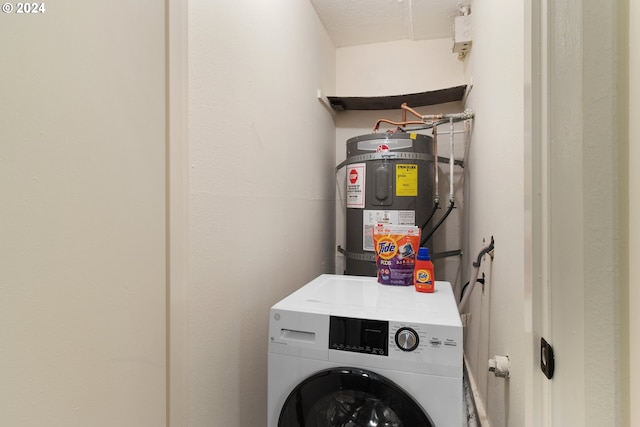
{"x":496,"y":206}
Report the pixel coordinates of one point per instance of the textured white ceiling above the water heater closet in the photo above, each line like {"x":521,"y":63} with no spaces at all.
{"x":357,"y":22}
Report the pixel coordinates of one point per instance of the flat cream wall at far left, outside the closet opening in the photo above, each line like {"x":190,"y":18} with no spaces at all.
{"x":82,"y":252}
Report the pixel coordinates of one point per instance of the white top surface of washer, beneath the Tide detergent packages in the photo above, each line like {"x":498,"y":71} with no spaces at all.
{"x":365,"y":298}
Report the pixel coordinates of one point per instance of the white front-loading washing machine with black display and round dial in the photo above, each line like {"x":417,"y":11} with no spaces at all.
{"x":346,"y":351}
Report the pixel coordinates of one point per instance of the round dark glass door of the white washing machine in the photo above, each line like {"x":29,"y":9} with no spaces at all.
{"x":351,"y":397}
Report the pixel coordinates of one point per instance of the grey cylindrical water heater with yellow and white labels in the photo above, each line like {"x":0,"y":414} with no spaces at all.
{"x":390,"y":179}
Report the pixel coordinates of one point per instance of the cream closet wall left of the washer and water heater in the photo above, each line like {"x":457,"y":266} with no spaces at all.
{"x":261,"y":191}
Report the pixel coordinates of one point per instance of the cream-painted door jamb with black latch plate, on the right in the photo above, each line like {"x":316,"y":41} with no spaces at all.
{"x":578,"y":190}
